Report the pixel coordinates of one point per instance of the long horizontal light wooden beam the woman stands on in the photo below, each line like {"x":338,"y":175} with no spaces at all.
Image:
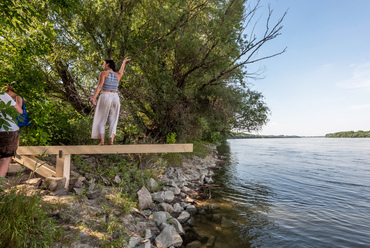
{"x":106,"y":149}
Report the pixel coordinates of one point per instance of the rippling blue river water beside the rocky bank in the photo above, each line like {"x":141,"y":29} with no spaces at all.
{"x":299,"y":192}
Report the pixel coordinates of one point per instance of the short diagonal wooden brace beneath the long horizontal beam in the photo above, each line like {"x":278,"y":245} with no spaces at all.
{"x":31,"y":162}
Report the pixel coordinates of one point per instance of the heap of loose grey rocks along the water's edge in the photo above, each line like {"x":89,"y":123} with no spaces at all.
{"x":172,"y":208}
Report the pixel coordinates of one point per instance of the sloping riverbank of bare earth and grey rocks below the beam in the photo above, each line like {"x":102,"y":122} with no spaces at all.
{"x":165,"y":210}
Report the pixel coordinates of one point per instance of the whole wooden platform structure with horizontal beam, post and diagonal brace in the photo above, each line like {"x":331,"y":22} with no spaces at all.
{"x":63,"y":164}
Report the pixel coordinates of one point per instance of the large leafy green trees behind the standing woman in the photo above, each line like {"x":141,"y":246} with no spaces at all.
{"x":188,"y":73}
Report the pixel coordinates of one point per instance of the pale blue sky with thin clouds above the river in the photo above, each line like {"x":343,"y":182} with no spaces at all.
{"x":321,"y":84}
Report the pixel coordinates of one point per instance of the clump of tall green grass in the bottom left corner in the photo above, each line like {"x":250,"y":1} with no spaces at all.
{"x":23,"y":221}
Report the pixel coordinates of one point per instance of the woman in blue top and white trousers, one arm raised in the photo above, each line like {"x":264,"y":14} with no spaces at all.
{"x":108,"y":105}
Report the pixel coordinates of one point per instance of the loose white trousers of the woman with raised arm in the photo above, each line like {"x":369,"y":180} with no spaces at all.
{"x":107,"y":109}
